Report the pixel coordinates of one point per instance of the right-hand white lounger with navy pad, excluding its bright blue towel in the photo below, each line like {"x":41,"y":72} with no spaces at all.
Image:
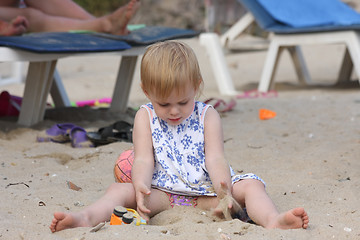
{"x":291,"y":39}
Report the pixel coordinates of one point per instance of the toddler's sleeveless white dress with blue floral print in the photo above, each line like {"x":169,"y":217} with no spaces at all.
{"x":180,"y":156}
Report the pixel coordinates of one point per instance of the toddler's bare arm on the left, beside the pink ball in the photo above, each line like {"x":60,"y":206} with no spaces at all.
{"x":143,"y":166}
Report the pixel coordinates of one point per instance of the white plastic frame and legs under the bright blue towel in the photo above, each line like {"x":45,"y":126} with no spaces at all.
{"x":292,"y":42}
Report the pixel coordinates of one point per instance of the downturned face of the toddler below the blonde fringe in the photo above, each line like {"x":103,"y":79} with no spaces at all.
{"x":177,"y":107}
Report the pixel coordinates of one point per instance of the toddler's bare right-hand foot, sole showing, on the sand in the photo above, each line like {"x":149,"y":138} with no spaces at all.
{"x":294,"y":218}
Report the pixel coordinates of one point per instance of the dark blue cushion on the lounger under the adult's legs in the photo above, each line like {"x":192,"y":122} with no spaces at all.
{"x":65,"y":42}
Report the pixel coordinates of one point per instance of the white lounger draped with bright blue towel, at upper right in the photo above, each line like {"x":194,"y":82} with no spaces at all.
{"x":296,"y":23}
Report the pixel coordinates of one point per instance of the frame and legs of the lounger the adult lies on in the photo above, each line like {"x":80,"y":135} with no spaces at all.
{"x":41,"y":74}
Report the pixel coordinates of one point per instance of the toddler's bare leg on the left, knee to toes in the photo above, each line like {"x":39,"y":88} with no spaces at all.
{"x":117,"y":194}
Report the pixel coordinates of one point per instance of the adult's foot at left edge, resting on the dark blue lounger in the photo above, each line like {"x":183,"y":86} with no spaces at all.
{"x":17,"y":26}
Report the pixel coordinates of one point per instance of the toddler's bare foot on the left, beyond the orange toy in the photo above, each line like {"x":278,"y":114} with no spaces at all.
{"x":63,"y":221}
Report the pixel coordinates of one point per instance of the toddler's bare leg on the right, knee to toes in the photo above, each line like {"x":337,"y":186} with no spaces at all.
{"x":260,"y":208}
